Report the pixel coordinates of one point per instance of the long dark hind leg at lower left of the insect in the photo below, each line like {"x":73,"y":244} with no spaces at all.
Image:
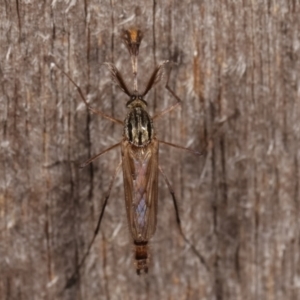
{"x":74,"y":277}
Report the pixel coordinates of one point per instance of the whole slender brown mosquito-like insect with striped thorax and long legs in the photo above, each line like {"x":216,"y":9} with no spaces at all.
{"x":139,"y":148}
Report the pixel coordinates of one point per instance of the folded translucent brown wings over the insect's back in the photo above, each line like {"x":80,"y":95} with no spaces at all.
{"x":140,"y":172}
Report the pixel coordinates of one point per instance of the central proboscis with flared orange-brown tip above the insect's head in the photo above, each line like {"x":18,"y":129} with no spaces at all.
{"x":132,"y":39}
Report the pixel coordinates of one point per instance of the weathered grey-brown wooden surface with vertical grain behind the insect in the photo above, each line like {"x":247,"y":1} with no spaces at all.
{"x":237,"y":72}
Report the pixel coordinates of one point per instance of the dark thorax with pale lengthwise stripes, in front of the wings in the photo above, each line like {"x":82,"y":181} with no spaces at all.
{"x":138,"y":126}
